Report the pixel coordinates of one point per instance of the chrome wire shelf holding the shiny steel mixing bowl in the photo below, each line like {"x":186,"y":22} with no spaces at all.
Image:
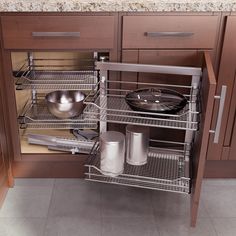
{"x":37,"y":116}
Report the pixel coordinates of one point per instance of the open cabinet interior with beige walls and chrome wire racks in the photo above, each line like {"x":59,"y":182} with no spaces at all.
{"x":169,"y":166}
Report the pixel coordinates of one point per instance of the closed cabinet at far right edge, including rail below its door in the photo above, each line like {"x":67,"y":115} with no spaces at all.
{"x":221,"y":155}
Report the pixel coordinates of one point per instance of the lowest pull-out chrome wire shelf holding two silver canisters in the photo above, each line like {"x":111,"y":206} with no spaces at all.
{"x":166,"y":170}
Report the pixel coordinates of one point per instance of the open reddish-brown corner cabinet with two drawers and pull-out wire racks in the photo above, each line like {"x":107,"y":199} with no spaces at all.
{"x":184,"y":44}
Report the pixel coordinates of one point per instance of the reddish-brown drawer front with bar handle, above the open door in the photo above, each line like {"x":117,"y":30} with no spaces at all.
{"x":169,"y":31}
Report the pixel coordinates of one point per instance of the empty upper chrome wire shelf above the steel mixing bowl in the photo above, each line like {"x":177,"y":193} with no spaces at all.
{"x":64,"y":80}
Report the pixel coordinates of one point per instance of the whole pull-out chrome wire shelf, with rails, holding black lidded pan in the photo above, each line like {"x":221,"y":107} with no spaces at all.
{"x":112,"y":107}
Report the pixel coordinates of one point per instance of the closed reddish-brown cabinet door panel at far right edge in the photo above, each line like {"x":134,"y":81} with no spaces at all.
{"x":217,"y":151}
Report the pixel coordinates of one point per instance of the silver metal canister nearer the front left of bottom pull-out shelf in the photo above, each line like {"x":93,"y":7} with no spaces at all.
{"x":112,"y":148}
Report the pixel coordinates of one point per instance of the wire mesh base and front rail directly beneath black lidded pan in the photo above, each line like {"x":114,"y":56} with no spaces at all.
{"x":114,"y":109}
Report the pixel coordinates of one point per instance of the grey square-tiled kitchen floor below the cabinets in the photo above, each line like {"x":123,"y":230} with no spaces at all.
{"x":74,"y":207}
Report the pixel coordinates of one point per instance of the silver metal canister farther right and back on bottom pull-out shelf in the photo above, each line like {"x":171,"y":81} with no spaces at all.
{"x":137,"y":143}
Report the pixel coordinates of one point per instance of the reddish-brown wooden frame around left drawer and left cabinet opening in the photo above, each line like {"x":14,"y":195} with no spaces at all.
{"x":38,"y":165}
